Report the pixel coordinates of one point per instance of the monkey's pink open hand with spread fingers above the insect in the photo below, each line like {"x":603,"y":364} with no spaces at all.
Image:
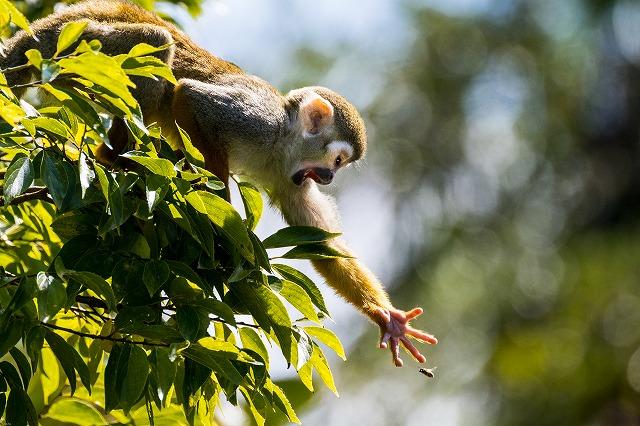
{"x":395,"y":330}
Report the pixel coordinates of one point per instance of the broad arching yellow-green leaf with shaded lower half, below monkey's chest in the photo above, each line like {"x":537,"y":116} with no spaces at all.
{"x":225,"y":217}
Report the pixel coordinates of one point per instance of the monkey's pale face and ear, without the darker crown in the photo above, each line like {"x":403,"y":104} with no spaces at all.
{"x":319,"y":154}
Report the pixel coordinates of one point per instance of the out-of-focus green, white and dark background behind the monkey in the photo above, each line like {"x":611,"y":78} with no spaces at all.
{"x":505,"y":151}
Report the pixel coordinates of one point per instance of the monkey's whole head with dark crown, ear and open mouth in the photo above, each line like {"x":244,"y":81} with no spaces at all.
{"x":328,"y":134}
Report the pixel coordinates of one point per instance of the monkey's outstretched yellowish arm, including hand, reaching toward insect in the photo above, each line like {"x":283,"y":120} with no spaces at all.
{"x":351,"y":278}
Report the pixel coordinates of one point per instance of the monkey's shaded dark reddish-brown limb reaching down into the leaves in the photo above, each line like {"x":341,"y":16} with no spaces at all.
{"x":211,"y":146}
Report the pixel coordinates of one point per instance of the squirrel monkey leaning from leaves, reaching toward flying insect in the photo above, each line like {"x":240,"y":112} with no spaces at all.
{"x":288,"y":143}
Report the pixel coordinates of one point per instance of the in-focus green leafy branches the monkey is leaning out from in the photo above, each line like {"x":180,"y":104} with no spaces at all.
{"x":120,"y":288}
